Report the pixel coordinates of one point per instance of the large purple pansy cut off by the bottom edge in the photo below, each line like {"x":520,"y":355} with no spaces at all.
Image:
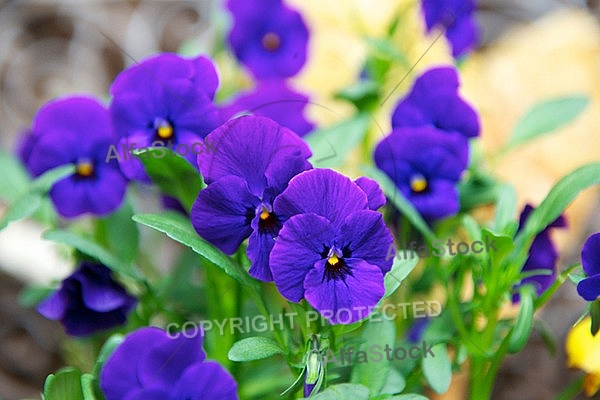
{"x":151,"y":365}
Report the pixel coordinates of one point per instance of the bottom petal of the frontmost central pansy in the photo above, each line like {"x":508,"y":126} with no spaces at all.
{"x":345,"y":300}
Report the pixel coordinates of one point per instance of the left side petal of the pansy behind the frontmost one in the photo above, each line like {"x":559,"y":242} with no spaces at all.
{"x":223,"y":211}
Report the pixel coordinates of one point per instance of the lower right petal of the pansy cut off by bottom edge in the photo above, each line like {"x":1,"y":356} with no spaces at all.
{"x":207,"y":380}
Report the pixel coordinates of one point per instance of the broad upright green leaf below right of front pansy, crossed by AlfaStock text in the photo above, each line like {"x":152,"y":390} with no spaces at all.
{"x":374,"y":375}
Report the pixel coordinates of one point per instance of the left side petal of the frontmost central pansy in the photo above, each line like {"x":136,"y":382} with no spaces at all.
{"x":299,"y":245}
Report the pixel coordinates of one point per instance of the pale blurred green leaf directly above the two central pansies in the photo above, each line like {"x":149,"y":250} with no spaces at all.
{"x":331,"y":146}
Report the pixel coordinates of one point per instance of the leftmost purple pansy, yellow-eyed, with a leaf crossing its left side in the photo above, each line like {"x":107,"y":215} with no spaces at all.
{"x":77,"y":130}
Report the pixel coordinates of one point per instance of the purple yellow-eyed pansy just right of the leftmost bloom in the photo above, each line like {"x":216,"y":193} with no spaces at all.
{"x":166,"y":101}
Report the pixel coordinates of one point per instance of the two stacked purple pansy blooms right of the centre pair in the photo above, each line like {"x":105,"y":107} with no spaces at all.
{"x":427,"y":151}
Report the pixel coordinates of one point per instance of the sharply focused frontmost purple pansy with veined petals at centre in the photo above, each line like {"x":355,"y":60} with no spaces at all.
{"x":332,"y":249}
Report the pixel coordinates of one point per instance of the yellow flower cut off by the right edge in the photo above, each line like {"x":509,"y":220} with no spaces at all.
{"x":583,"y":352}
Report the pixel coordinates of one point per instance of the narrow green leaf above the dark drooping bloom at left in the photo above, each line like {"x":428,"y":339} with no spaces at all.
{"x":92,"y":249}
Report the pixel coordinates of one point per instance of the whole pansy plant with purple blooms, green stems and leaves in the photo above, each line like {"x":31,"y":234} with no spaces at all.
{"x":306,"y":257}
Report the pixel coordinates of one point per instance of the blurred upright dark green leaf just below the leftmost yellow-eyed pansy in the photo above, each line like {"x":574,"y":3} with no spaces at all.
{"x":120,"y":233}
